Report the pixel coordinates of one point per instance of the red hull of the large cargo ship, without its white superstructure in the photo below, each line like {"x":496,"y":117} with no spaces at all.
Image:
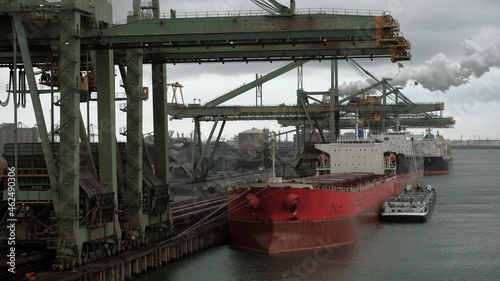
{"x":262,"y":219}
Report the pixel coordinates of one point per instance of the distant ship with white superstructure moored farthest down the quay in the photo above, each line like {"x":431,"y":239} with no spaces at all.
{"x":438,"y":158}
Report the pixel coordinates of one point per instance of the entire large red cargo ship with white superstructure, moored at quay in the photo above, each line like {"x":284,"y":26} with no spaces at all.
{"x":335,"y":207}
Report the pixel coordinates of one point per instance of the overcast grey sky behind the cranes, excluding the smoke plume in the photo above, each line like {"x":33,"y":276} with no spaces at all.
{"x":455,"y":59}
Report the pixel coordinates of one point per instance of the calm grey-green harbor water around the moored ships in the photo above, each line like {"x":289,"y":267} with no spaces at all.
{"x":459,"y":242}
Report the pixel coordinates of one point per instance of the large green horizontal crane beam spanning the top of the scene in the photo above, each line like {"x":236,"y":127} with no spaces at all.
{"x":217,"y":37}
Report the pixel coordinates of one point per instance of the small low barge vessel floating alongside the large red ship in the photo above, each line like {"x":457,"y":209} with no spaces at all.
{"x":411,"y":205}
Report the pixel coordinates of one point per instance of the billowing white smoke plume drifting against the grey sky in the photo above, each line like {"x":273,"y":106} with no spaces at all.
{"x":441,"y":73}
